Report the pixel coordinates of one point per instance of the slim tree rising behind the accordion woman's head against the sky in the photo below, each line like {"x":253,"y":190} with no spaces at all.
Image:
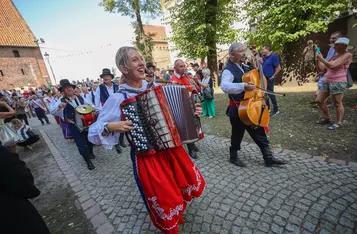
{"x":134,"y":9}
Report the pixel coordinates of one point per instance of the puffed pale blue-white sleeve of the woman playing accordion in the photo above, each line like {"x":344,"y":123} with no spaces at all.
{"x":110,"y":113}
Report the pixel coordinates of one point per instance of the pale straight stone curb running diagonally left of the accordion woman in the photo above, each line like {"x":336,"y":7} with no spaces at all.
{"x":91,"y":209}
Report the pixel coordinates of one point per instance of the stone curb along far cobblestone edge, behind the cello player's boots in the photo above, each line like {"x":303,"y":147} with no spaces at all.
{"x":340,"y":162}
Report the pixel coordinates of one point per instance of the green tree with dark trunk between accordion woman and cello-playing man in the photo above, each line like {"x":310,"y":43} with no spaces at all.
{"x":199,"y":25}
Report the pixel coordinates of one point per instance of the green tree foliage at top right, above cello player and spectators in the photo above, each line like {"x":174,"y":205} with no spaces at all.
{"x":285,"y":21}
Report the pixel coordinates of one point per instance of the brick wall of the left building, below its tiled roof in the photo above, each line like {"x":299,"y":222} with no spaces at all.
{"x":12,"y":76}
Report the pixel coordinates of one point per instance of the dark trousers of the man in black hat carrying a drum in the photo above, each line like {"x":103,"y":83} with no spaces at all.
{"x":85,"y":148}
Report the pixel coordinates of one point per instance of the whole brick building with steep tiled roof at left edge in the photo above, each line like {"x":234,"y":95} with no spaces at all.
{"x":21,"y":61}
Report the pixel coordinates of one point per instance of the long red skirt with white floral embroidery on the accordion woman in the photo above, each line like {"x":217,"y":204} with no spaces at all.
{"x":167,"y":180}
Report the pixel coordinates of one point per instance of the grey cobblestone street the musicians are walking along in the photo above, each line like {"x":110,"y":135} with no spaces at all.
{"x":308,"y":195}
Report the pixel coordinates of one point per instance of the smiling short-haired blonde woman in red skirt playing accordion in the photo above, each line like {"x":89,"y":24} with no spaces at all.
{"x":165,"y":175}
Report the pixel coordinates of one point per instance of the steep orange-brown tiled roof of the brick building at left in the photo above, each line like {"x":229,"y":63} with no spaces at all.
{"x":14,"y":30}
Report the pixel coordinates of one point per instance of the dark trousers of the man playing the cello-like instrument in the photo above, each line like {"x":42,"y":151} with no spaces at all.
{"x":256,"y":133}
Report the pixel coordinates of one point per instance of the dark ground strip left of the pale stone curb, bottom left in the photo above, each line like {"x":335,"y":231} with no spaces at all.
{"x":57,"y":202}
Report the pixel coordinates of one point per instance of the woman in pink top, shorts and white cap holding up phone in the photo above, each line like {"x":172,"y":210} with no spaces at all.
{"x":335,"y":82}
